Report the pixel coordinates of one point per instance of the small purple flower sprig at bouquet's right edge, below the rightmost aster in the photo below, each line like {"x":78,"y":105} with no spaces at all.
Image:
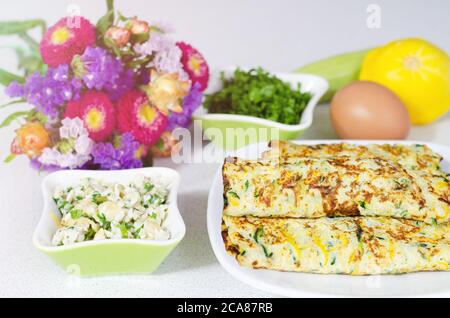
{"x":190,"y":103}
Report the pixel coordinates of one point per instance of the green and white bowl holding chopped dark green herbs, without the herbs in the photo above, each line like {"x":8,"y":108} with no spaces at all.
{"x":231,"y":132}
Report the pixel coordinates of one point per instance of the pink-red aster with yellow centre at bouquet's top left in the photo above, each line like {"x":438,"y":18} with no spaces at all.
{"x":68,"y":37}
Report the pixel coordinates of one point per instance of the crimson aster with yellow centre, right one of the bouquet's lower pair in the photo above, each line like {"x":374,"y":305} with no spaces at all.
{"x":136,"y":115}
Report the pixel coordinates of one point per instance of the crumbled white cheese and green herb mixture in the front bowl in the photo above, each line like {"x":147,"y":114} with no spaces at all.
{"x":97,"y":210}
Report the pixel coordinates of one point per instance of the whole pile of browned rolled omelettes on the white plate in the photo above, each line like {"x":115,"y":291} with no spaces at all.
{"x":338,"y":208}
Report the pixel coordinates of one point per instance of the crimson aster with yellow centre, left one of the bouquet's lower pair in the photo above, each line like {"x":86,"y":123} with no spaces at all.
{"x":97,"y":113}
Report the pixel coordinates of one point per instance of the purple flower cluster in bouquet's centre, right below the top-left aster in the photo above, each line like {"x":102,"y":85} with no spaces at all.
{"x":102,"y":71}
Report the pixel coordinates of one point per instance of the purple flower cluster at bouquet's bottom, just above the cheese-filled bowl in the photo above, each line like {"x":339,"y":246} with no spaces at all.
{"x":109,"y":157}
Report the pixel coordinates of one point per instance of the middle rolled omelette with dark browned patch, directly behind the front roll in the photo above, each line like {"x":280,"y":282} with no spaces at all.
{"x":307,"y":187}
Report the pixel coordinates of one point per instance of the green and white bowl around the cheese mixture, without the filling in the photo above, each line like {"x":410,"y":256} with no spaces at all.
{"x":113,"y":256}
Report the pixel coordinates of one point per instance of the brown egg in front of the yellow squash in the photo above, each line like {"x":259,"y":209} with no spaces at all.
{"x":367,"y":110}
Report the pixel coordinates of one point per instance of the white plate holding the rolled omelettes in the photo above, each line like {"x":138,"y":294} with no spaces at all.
{"x":290,"y":284}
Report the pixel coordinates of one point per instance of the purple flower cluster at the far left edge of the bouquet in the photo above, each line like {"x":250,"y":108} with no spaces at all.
{"x":48,"y":92}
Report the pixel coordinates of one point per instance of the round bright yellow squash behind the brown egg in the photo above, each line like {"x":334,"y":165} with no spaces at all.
{"x":417,"y":71}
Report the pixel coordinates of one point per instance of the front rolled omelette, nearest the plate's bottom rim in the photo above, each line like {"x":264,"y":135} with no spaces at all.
{"x":347,"y":245}
